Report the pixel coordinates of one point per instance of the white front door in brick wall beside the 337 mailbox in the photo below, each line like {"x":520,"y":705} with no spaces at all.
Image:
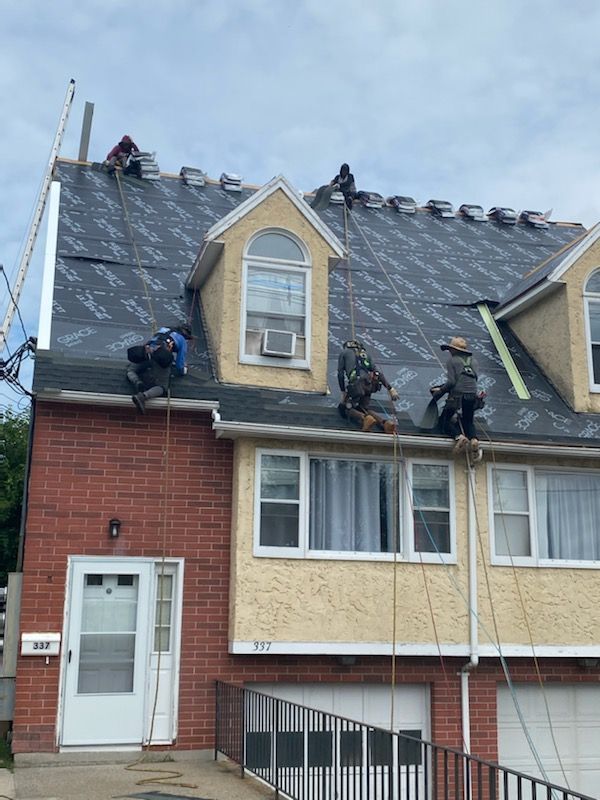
{"x":106,"y":652}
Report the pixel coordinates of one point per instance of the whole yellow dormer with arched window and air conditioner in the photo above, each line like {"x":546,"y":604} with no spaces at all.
{"x":262,"y":274}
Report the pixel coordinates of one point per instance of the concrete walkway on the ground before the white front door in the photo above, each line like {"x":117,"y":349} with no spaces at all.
{"x":188,"y":777}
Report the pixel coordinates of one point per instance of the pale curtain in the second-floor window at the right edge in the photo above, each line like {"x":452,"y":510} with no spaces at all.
{"x":568,"y":511}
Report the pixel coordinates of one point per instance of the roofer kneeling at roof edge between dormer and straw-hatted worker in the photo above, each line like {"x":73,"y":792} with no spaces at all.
{"x":359,"y":378}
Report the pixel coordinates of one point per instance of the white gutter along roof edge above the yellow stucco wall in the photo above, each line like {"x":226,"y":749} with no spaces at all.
{"x":236,"y":430}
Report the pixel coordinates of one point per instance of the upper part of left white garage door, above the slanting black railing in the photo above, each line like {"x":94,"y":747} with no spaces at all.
{"x":369,"y":703}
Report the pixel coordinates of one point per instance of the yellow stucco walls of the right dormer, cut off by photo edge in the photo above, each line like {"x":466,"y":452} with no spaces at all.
{"x":553,"y":332}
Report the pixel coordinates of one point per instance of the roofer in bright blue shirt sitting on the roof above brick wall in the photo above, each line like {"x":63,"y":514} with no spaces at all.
{"x":150,"y":365}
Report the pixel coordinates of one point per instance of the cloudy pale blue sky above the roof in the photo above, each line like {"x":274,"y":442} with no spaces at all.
{"x":494,"y":104}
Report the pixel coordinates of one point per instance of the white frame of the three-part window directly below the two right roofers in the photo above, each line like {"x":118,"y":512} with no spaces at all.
{"x":407,"y":552}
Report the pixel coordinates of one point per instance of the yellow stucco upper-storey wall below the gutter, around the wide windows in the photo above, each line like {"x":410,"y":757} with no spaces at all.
{"x":296,"y":600}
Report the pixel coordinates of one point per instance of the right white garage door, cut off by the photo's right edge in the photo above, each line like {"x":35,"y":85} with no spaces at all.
{"x":575,"y":717}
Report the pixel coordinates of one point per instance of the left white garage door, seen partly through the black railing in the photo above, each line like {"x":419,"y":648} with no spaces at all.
{"x":314,"y":756}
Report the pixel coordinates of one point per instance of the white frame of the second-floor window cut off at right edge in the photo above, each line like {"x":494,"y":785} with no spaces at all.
{"x":534,"y":560}
